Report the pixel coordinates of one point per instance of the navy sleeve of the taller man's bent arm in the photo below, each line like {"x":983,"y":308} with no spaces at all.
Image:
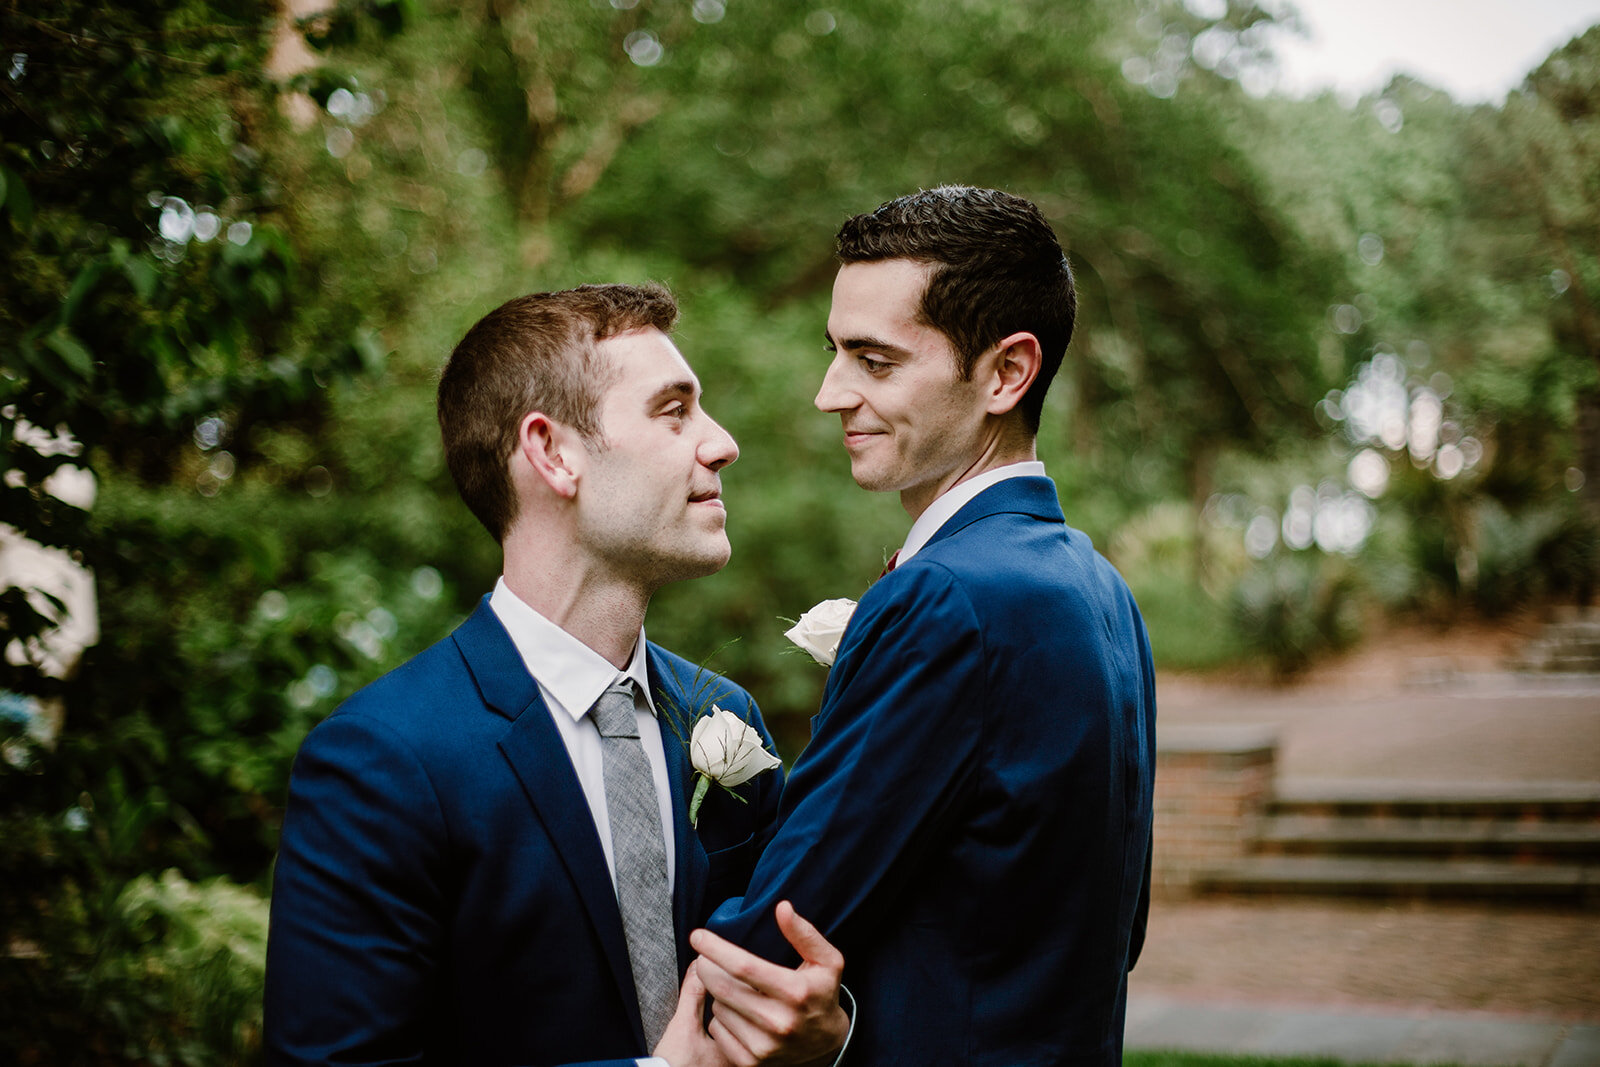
{"x":884,"y":773}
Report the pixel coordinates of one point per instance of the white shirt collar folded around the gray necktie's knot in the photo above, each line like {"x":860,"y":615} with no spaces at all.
{"x":569,"y":671}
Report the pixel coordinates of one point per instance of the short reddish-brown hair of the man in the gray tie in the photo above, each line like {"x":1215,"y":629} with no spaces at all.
{"x":537,"y":353}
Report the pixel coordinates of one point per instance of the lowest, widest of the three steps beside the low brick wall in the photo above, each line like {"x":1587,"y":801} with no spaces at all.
{"x":1407,"y":879}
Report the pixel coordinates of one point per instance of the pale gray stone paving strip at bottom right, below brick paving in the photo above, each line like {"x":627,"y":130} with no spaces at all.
{"x":1361,"y":1036}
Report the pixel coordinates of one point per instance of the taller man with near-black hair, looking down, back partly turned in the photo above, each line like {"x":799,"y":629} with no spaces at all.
{"x":972,"y":820}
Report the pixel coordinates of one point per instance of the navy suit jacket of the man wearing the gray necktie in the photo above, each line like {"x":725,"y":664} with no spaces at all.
{"x":441,"y":893}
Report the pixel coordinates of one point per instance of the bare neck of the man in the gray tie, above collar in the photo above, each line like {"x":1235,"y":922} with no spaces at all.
{"x":601,"y":610}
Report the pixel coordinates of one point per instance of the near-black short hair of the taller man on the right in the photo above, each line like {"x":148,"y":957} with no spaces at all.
{"x":998,"y":270}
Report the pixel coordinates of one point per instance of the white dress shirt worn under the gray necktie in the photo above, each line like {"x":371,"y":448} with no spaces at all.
{"x":572,"y":677}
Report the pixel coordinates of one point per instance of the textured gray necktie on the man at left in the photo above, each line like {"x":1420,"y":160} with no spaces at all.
{"x":641,"y":857}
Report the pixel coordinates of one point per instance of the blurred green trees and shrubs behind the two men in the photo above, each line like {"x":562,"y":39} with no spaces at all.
{"x":1337,"y":374}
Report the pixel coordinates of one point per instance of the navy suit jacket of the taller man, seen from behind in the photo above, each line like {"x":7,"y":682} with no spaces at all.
{"x":970,"y":823}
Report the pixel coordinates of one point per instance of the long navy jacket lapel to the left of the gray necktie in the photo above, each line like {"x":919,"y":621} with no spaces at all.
{"x":538,"y":757}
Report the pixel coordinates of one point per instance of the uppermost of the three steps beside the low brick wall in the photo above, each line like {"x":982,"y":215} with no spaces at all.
{"x":1378,"y":799}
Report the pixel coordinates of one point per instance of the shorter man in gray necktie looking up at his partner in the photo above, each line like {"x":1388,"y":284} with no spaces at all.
{"x":487,"y":855}
